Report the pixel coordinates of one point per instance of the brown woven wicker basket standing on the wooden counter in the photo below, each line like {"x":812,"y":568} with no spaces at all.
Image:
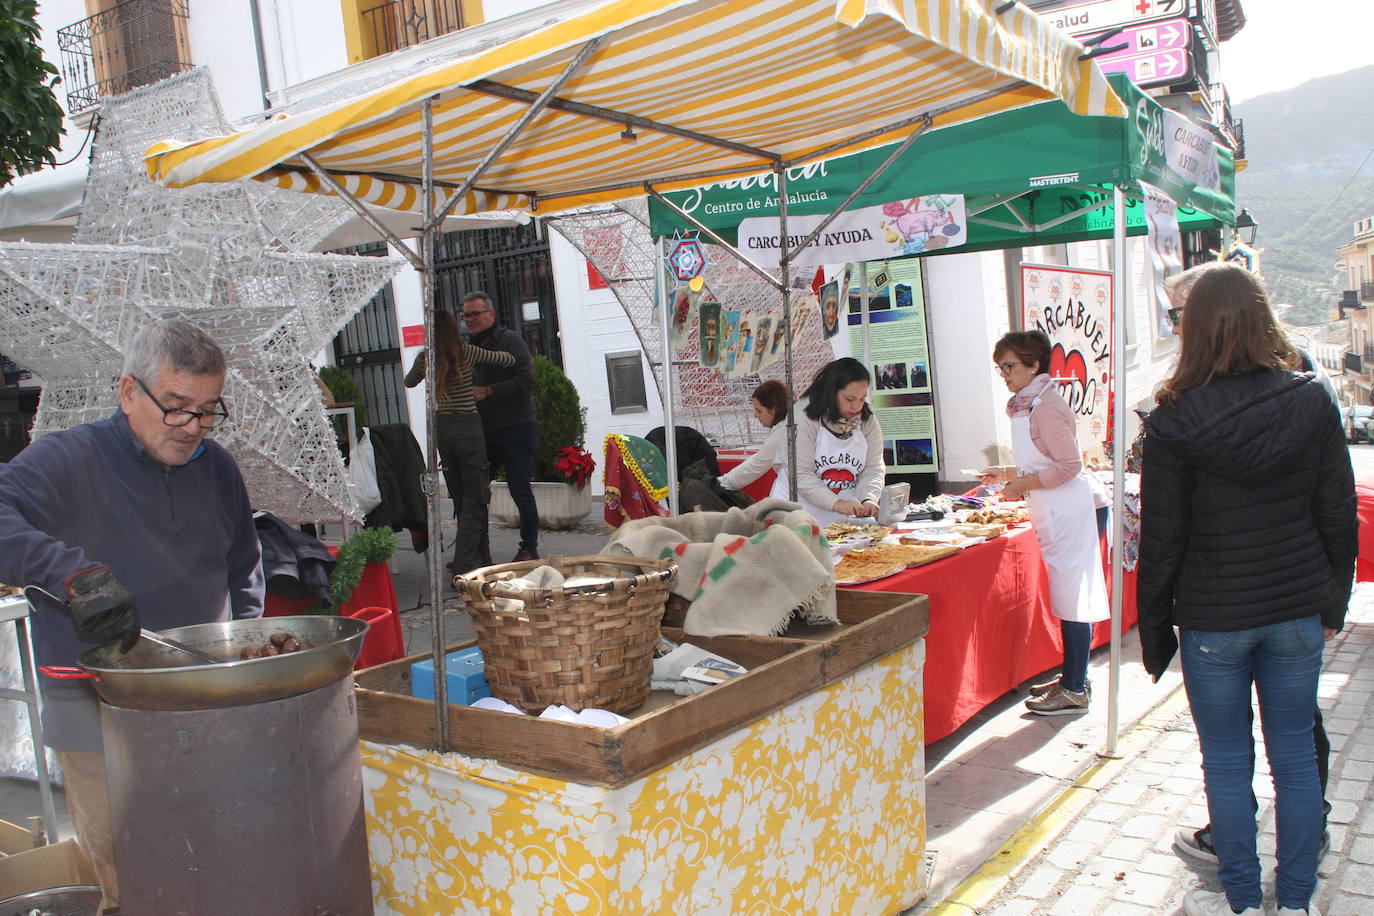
{"x":583,"y":646}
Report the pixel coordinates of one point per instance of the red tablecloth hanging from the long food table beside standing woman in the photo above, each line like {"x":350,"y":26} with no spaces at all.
{"x":991,"y":626}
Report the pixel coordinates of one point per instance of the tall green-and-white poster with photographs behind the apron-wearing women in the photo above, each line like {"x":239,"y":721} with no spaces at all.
{"x":899,"y":360}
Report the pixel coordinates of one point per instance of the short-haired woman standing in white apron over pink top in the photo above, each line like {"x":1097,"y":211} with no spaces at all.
{"x":1050,"y":476}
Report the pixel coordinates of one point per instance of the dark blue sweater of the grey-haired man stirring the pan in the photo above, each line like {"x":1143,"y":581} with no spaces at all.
{"x":182,"y":540}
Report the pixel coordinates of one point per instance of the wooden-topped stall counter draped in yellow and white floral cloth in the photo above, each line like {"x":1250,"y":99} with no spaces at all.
{"x":798,"y":788}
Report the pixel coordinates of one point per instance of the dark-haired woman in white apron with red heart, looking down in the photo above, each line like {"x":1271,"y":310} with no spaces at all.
{"x":840,"y":472}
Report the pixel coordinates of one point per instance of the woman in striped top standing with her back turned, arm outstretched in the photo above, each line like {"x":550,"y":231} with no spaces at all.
{"x":462,"y":448}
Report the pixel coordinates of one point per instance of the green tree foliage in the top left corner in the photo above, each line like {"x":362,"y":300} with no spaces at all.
{"x":31,"y":119}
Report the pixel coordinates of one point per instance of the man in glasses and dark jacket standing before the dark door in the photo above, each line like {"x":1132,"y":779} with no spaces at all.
{"x":506,"y":402}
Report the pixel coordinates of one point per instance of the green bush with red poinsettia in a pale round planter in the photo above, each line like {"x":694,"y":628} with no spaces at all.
{"x":563,"y":468}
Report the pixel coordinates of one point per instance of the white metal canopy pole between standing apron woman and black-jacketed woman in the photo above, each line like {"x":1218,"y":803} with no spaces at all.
{"x":1119,"y":268}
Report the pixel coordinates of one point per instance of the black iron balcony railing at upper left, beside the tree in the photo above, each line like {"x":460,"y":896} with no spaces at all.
{"x":131,"y":45}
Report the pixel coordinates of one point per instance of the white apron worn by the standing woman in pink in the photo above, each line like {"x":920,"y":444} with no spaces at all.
{"x":1066,"y":527}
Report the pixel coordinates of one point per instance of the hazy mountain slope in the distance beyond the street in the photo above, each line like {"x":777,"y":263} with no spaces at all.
{"x":1305,"y":148}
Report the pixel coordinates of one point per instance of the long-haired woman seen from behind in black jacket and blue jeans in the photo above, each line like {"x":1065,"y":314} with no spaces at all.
{"x":1248,"y":542}
